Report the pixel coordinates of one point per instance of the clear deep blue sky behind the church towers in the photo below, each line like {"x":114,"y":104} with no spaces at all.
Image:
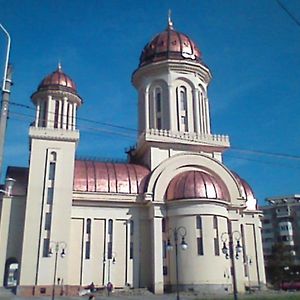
{"x":251,"y":47}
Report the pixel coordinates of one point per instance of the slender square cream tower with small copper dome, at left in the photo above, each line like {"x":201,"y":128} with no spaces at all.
{"x":53,"y":139}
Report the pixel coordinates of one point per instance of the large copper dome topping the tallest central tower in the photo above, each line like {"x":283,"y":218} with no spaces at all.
{"x":170,"y":44}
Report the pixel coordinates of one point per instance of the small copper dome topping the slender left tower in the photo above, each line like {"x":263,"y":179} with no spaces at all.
{"x":58,"y":80}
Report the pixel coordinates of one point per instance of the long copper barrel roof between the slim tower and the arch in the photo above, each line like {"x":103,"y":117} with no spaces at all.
{"x":108,"y":177}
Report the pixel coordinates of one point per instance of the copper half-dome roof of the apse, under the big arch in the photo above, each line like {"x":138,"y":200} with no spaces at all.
{"x":196,"y":184}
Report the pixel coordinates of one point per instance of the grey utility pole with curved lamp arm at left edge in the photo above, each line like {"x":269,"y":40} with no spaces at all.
{"x":7,"y":83}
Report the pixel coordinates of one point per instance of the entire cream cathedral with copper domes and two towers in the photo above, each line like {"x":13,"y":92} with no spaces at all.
{"x":173,"y":217}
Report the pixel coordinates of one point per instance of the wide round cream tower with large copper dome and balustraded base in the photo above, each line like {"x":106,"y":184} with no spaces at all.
{"x":172,"y":83}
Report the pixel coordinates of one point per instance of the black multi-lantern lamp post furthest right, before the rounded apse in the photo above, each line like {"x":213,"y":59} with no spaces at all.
{"x":229,"y":253}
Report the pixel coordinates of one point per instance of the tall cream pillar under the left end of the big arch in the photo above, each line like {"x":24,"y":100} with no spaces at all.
{"x":157,"y":252}
